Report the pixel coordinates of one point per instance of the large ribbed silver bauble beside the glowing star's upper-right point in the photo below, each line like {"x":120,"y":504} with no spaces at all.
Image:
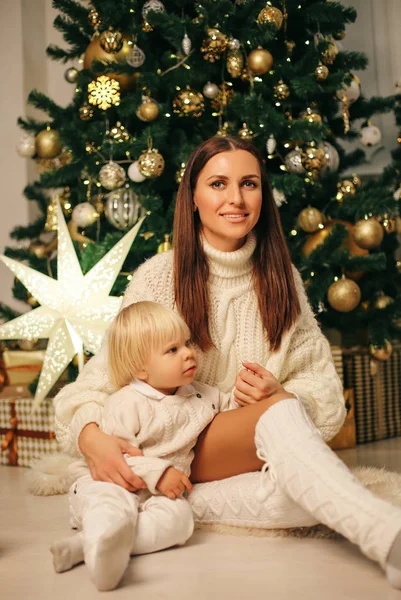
{"x":122,"y":208}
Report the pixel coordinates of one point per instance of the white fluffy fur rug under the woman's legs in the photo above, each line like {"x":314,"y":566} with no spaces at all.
{"x":49,"y":476}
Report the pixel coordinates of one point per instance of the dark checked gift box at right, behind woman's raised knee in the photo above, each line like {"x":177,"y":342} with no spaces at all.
{"x":377,"y":393}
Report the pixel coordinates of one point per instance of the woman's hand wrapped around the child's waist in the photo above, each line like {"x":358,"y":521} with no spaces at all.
{"x":104,"y":455}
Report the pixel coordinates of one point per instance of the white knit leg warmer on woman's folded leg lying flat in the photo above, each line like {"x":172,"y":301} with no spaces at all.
{"x":233,"y":501}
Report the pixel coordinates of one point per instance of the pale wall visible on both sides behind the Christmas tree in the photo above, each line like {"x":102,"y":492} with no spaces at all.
{"x":27,"y":29}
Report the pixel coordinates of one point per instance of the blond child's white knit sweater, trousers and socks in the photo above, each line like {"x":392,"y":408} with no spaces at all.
{"x":116,"y":523}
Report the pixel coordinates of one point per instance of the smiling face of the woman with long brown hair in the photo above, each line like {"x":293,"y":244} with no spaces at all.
{"x":228,"y":196}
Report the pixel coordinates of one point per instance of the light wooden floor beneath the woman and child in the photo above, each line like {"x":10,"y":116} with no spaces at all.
{"x":209,"y":567}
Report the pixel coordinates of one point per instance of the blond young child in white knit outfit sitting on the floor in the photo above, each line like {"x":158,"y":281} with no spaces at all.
{"x":161,"y":410}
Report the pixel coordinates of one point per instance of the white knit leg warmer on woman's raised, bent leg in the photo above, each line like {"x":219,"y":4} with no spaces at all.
{"x":315,"y":478}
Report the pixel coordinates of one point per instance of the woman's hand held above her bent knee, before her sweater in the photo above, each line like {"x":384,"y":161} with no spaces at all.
{"x":254,"y":383}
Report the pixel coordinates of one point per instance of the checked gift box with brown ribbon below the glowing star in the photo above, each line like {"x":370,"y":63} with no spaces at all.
{"x":24,"y":435}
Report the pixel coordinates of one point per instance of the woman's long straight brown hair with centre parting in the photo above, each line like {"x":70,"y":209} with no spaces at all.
{"x":272,"y":273}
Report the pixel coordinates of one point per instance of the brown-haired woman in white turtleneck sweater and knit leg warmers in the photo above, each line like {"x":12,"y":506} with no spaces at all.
{"x":231,"y":278}
